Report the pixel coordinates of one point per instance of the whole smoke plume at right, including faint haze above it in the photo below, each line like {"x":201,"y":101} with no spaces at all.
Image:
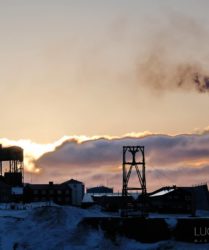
{"x":175,"y":57}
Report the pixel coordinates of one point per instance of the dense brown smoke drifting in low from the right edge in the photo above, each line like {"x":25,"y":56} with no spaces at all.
{"x":162,"y":75}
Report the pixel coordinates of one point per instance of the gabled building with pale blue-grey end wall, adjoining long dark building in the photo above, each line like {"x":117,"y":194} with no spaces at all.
{"x":77,"y":188}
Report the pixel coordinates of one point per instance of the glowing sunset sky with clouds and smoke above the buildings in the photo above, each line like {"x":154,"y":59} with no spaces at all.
{"x":73,"y":72}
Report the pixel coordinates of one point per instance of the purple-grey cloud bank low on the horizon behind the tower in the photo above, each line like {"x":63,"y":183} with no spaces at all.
{"x":181,"y":160}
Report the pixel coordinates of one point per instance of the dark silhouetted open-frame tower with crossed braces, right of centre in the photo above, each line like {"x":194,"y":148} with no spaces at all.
{"x":133,"y":157}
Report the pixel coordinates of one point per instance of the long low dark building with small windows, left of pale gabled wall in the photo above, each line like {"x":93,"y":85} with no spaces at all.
{"x":58,"y":193}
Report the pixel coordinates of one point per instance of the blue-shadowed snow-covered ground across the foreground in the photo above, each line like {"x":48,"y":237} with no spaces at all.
{"x":38,"y":227}
